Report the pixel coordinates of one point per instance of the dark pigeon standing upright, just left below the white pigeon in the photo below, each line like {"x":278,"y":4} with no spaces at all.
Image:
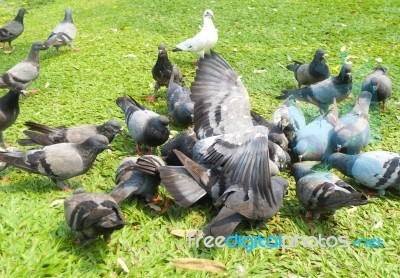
{"x":163,"y":70}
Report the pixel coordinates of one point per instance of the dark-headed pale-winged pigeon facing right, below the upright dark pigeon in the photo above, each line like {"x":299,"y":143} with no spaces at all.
{"x":145,"y":126}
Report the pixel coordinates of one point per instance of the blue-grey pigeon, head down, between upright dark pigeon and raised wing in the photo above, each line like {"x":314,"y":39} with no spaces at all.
{"x":179,"y":104}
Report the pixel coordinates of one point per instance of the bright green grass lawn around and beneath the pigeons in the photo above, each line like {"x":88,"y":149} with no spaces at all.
{"x":82,"y":87}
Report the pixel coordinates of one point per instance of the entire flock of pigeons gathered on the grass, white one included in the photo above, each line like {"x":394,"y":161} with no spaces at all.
{"x":232,"y":154}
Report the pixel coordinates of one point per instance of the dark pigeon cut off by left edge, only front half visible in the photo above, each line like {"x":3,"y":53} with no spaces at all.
{"x":9,"y":111}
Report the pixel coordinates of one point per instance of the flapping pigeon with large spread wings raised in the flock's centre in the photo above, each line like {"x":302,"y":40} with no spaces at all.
{"x":237,"y":155}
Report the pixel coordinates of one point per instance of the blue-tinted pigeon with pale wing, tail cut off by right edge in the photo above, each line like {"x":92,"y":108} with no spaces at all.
{"x":376,"y":169}
